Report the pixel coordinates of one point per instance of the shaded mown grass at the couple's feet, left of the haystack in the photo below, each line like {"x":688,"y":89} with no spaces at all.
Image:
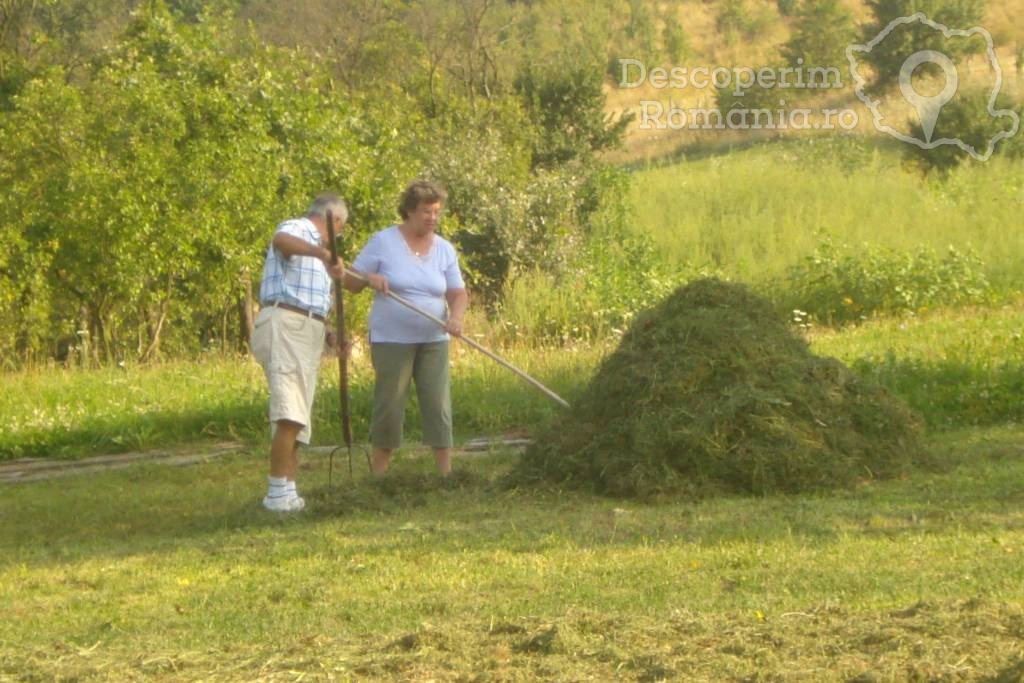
{"x":151,"y":509}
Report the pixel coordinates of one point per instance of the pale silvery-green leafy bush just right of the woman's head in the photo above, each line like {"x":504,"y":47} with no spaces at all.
{"x":508,"y":214}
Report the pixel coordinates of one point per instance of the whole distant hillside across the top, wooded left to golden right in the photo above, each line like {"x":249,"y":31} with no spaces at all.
{"x":484,"y":48}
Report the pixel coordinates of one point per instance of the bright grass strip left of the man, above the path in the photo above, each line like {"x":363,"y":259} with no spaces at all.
{"x":68,"y":413}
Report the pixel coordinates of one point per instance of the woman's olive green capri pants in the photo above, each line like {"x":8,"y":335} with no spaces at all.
{"x":398,"y":365}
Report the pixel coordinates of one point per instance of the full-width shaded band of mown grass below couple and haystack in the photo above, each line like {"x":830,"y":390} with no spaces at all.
{"x":151,"y":510}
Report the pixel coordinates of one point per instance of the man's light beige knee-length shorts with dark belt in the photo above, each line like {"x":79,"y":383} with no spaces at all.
{"x":289,"y":347}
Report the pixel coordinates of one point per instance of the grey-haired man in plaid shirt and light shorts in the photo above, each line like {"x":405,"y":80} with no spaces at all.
{"x":289,"y":335}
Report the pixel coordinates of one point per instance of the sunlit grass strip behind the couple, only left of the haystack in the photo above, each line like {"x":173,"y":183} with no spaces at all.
{"x":70,"y":414}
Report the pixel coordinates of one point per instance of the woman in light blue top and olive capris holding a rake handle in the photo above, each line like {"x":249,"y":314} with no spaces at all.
{"x":415,"y":263}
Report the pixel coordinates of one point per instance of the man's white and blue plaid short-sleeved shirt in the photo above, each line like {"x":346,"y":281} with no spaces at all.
{"x":301,"y":281}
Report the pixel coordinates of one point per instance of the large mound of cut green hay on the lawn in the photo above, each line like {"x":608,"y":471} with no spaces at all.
{"x":712,"y":392}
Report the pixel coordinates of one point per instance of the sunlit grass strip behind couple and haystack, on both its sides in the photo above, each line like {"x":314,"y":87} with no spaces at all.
{"x":956,"y":368}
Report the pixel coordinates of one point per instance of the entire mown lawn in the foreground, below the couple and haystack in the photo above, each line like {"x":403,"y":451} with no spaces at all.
{"x":177,"y":574}
